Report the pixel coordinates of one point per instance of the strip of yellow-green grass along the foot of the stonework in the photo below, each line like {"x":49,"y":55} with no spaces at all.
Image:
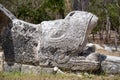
{"x":45,"y":76}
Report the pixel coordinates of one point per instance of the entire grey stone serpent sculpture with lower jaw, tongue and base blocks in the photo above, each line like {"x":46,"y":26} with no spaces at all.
{"x":57,"y":43}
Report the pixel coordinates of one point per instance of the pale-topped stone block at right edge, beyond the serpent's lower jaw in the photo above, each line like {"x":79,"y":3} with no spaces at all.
{"x":111,"y":65}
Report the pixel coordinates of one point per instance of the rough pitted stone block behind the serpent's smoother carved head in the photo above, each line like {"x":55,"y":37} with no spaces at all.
{"x":26,"y":41}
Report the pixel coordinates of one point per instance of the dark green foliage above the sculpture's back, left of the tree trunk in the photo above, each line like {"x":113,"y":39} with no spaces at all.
{"x":35,"y":11}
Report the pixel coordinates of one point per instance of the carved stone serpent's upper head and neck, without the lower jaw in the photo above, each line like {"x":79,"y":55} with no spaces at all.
{"x":50,"y":43}
